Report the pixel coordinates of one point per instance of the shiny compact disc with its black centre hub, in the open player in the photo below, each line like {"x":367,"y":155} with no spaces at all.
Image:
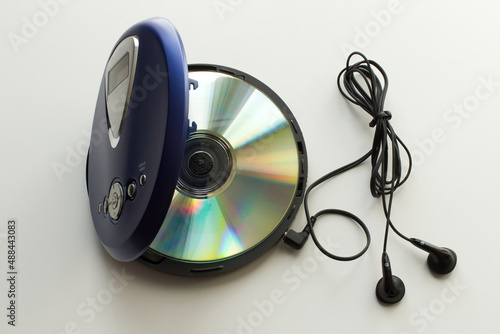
{"x":242,"y":175}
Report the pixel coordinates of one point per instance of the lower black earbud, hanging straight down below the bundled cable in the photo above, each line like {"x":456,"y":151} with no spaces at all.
{"x":390,"y":289}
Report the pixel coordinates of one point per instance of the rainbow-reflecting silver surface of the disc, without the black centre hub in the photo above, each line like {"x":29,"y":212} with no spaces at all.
{"x":265,"y":168}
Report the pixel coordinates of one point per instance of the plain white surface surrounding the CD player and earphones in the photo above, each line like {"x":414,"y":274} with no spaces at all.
{"x":440,"y":56}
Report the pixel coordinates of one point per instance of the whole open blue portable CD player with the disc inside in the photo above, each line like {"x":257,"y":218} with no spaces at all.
{"x":151,"y":155}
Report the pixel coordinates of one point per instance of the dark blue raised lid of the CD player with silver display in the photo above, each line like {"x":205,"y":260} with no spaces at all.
{"x":138,"y":137}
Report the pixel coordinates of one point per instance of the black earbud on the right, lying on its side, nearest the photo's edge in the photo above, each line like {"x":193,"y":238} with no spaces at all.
{"x":441,"y":260}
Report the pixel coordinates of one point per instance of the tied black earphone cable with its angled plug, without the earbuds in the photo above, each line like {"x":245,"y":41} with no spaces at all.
{"x":359,"y":84}
